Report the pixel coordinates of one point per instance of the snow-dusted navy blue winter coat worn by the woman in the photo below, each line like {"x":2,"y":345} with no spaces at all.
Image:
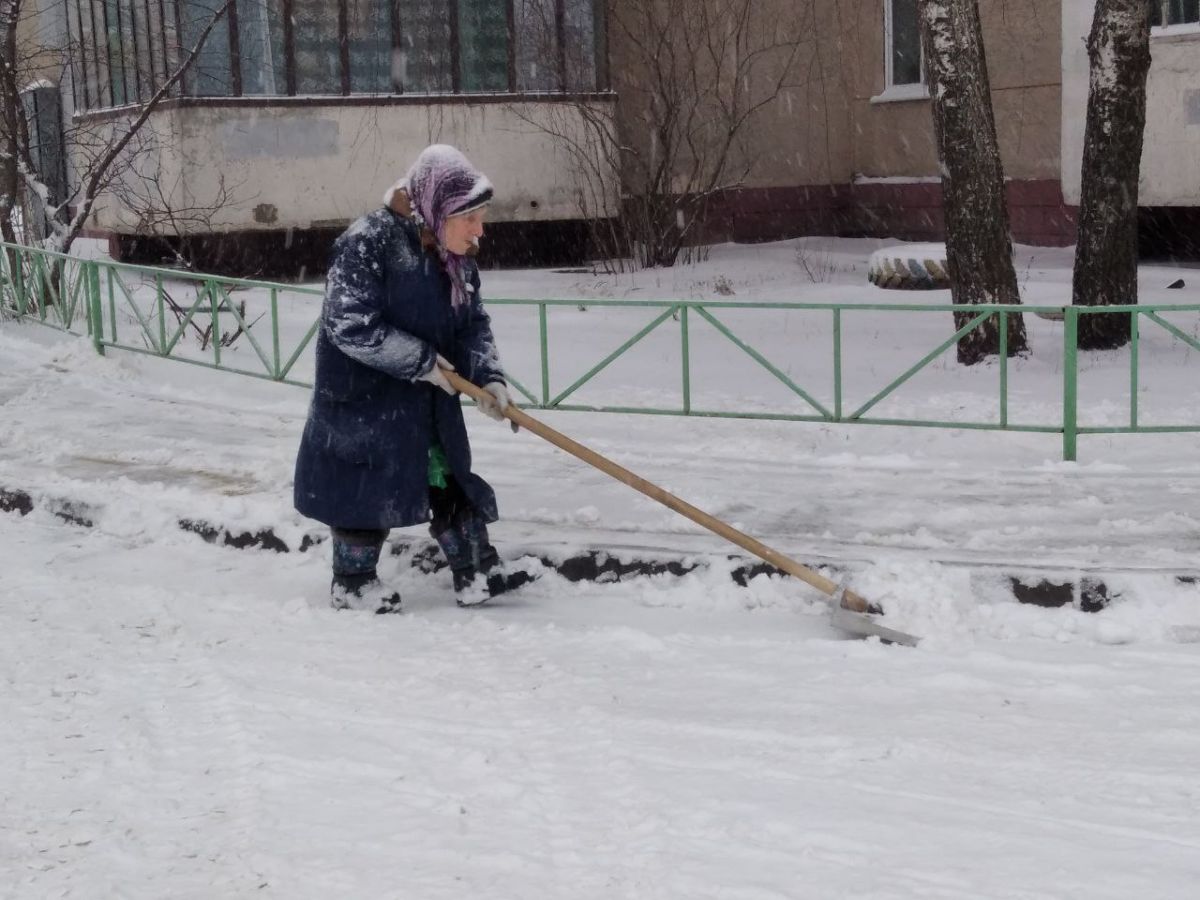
{"x":364,"y":458}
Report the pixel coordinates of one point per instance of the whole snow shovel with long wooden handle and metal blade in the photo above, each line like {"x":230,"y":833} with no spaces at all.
{"x":851,"y":613}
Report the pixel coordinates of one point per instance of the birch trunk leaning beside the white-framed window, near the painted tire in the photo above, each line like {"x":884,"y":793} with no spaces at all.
{"x":979,"y":245}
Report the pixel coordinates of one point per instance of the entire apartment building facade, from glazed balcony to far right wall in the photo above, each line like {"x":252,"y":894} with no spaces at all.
{"x":298,"y":115}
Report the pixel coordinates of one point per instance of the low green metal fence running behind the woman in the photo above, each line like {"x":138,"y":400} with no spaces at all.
{"x":155,"y":311}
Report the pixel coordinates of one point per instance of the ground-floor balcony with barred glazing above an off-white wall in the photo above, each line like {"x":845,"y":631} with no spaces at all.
{"x":298,"y":115}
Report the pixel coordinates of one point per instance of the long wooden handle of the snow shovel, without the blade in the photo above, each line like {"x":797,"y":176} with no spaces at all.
{"x":851,"y":602}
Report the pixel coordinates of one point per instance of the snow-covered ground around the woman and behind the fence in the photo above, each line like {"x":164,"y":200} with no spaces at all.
{"x":189,"y":721}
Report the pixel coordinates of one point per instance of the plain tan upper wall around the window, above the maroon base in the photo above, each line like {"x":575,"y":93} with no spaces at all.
{"x":835,"y":122}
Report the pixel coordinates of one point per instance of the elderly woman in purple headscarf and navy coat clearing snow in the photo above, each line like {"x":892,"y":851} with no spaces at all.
{"x":386,"y":445}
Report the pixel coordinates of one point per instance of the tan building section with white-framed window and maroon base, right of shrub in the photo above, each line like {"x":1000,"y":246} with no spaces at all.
{"x":872,"y":161}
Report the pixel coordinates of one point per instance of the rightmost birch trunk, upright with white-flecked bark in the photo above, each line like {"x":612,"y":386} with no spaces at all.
{"x":1107,"y":253}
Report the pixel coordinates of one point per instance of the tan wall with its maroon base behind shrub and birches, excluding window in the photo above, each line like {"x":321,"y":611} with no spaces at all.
{"x":827,"y":153}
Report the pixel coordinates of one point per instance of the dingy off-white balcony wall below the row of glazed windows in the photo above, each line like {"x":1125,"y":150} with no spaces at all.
{"x":309,"y":165}
